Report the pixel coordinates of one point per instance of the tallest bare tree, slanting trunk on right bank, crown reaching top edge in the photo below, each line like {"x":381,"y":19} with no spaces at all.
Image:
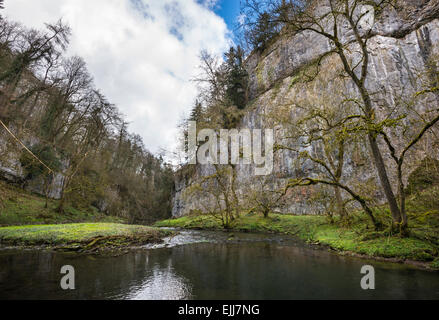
{"x":345,"y":25}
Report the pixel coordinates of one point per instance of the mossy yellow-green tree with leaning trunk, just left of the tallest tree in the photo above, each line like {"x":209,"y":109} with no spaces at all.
{"x":323,"y":135}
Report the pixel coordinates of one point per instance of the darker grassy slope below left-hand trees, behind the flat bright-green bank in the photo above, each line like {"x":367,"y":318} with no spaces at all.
{"x":18,"y":207}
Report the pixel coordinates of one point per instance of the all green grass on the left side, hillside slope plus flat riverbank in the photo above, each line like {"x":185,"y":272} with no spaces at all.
{"x":24,"y":221}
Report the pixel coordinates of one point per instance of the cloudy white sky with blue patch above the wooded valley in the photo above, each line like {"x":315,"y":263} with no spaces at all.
{"x":142,"y":53}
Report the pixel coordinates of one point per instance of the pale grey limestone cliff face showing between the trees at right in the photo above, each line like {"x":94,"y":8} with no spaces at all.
{"x":402,"y":43}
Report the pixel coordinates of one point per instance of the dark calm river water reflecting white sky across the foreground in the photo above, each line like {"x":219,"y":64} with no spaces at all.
{"x":210,"y":265}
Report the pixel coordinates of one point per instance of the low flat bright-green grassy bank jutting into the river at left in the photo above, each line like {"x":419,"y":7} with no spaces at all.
{"x":82,"y":237}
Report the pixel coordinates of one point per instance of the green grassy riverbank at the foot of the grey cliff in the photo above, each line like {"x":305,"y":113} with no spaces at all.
{"x":356,"y":240}
